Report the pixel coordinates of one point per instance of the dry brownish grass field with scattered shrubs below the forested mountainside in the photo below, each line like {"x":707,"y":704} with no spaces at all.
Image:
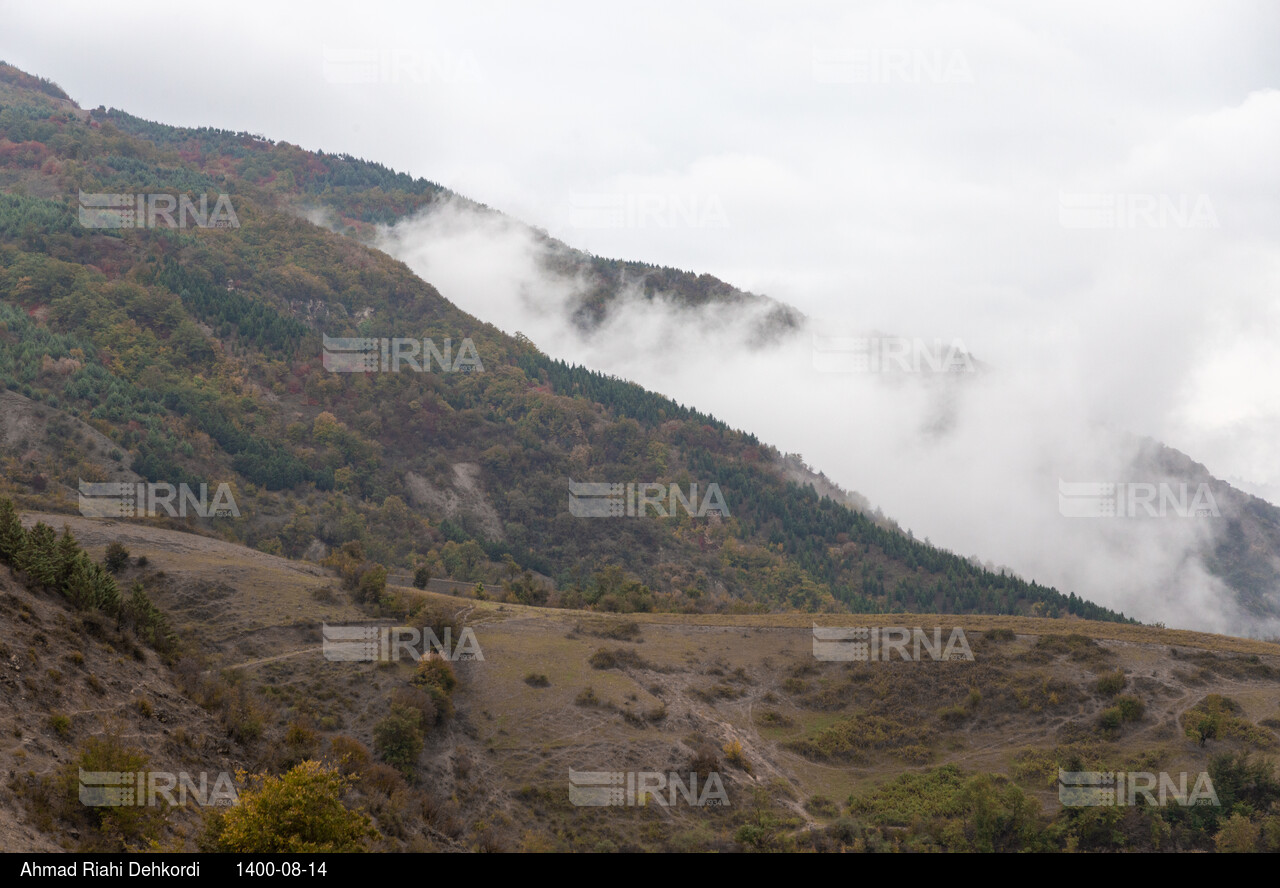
{"x":568,"y":690}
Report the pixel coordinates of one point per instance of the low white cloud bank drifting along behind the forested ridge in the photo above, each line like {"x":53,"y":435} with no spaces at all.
{"x":971,"y":461}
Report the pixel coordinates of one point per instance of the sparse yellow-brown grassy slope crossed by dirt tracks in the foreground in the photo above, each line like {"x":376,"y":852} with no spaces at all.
{"x":717,"y":679}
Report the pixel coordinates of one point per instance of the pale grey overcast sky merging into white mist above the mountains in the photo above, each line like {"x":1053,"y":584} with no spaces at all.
{"x":1086,"y":195}
